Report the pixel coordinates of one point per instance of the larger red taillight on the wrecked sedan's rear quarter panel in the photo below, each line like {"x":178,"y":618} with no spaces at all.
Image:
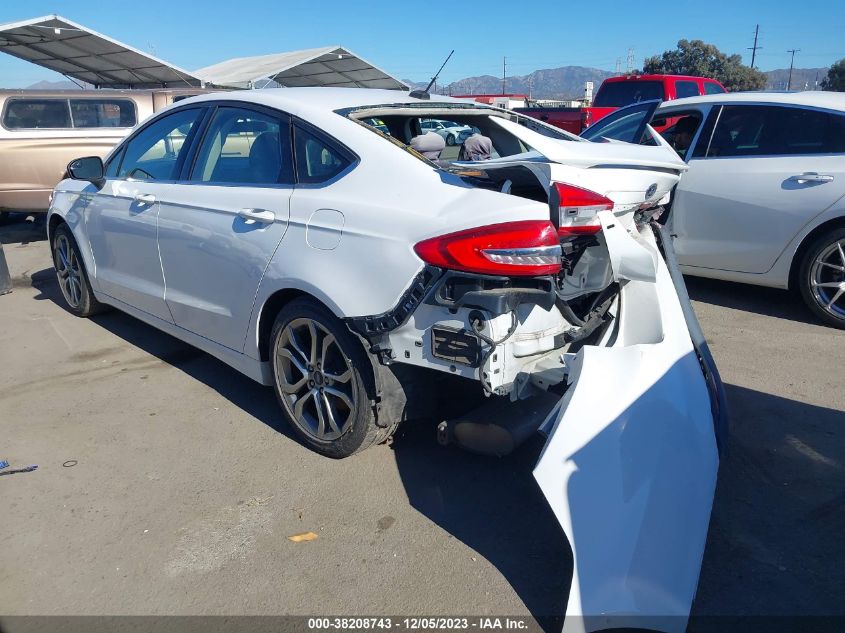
{"x":526,"y":248}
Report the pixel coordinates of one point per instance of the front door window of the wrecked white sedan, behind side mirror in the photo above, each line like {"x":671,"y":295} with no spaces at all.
{"x":157,"y":151}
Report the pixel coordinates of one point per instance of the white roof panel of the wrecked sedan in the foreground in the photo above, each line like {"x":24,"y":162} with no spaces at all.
{"x":305,"y":100}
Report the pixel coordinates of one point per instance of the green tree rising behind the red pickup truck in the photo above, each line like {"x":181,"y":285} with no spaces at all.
{"x":705,"y":60}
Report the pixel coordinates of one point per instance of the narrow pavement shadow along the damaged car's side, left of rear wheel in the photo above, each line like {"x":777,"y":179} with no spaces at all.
{"x":256,"y":400}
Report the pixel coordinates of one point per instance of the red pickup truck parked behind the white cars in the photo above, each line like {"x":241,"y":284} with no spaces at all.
{"x":617,"y":92}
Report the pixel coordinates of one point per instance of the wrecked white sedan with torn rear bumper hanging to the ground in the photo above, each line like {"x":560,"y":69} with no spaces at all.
{"x":317,"y":254}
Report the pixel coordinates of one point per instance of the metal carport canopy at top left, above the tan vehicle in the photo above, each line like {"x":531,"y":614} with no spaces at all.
{"x":78,"y":52}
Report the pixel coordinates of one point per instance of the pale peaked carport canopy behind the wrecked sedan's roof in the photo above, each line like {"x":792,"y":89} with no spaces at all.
{"x":328,"y":66}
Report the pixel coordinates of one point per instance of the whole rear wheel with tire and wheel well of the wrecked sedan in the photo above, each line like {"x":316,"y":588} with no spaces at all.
{"x":321,"y":376}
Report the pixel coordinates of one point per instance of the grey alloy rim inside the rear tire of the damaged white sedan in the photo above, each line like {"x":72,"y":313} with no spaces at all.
{"x":315,"y":379}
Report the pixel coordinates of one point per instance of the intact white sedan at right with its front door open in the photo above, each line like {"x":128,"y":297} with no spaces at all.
{"x":763,"y":201}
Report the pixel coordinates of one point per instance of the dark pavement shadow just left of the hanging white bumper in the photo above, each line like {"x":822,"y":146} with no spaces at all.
{"x":494,"y":506}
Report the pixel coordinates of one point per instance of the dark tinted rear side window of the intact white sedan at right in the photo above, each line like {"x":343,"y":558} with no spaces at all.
{"x":767,"y":130}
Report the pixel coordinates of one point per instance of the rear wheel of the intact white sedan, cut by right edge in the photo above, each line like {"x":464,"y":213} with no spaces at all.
{"x":821,"y":277}
